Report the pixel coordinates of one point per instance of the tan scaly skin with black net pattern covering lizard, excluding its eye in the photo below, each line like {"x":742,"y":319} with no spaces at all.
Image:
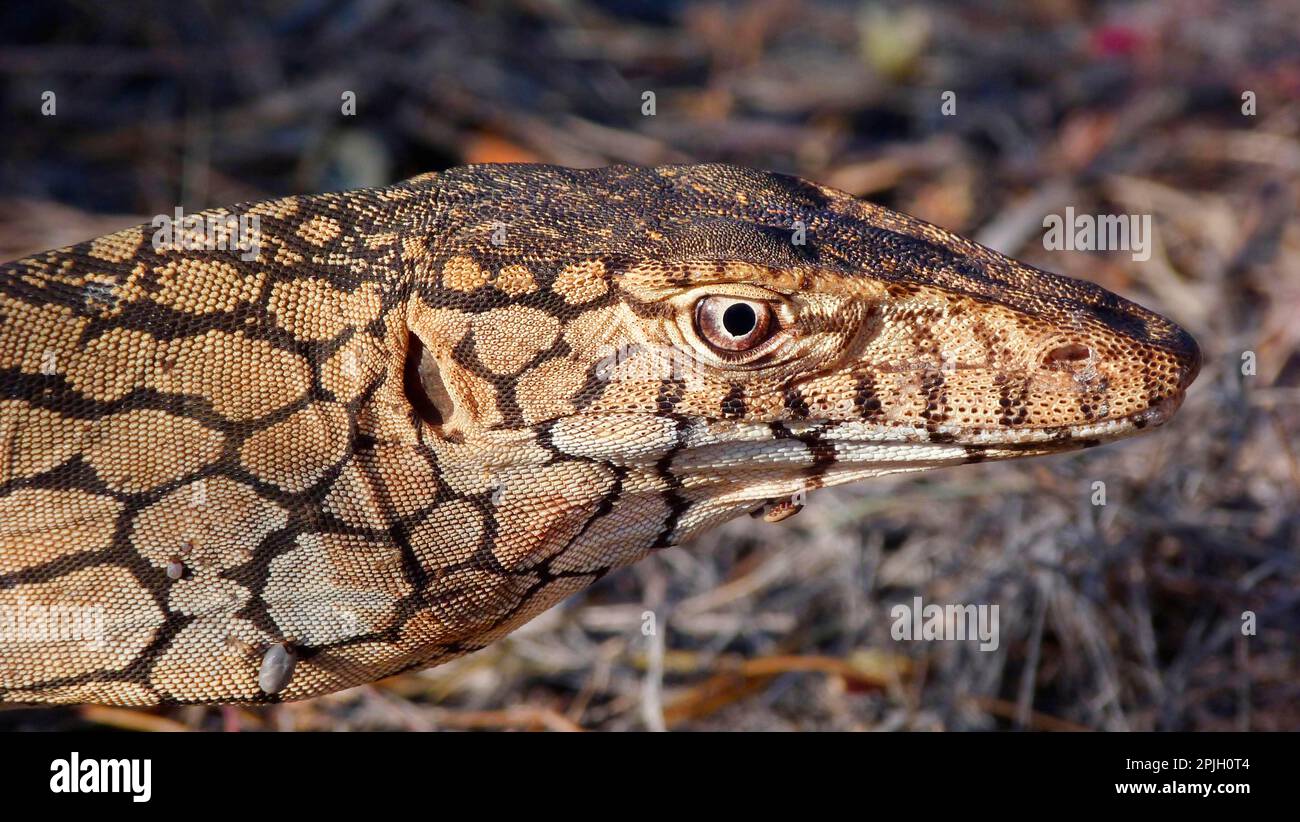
{"x":427,"y":413}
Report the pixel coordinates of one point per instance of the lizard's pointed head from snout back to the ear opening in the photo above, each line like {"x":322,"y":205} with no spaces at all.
{"x":730,"y":336}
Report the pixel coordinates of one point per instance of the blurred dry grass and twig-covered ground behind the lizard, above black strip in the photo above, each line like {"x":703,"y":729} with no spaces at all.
{"x":1119,"y":617}
